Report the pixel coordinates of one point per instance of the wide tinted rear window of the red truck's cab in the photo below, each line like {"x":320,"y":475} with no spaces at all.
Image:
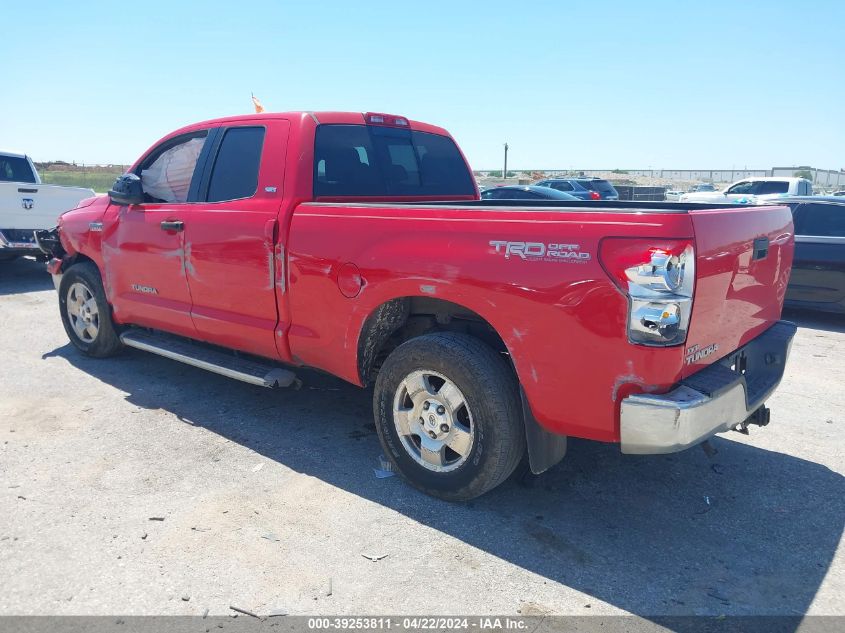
{"x":371,"y":161}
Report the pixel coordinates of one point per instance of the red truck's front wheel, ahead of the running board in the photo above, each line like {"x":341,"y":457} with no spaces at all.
{"x":85,"y":312}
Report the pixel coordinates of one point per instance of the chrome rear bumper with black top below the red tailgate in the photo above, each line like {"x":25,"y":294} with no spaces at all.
{"x":714,"y":400}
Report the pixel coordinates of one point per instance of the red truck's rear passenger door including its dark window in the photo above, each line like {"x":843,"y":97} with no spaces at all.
{"x":230,"y":237}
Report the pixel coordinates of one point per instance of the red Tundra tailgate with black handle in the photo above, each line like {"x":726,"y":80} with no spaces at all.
{"x":743,"y":259}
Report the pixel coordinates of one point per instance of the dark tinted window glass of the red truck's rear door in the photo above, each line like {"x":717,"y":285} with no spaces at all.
{"x":235,"y":172}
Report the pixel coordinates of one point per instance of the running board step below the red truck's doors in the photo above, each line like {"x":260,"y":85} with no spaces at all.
{"x":242,"y":369}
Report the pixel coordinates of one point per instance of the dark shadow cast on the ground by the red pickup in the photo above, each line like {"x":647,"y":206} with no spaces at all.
{"x":750,"y":531}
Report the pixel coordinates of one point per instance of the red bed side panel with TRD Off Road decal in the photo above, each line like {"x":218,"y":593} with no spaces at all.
{"x":533,"y":274}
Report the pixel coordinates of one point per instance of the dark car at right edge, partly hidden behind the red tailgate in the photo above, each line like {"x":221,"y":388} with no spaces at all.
{"x":818,"y":269}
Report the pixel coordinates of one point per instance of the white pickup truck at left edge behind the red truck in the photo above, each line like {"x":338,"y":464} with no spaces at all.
{"x":27,"y":205}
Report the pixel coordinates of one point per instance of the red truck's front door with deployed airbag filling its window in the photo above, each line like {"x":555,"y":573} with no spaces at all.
{"x":144,"y":245}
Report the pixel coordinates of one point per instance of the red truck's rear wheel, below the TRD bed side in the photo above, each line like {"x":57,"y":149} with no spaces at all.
{"x":448,"y":415}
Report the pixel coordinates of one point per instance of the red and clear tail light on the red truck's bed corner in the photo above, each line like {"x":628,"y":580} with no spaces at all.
{"x":658,"y":277}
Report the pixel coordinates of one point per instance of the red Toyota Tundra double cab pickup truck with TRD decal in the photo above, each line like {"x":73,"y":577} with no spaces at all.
{"x":491,"y":330}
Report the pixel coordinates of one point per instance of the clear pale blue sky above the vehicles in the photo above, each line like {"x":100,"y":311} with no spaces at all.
{"x":581,"y":84}
